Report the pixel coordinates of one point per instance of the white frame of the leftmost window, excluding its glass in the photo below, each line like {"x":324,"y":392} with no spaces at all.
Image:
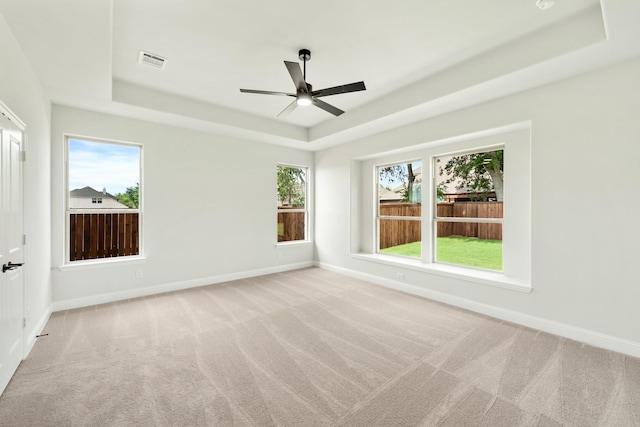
{"x":68,"y":210}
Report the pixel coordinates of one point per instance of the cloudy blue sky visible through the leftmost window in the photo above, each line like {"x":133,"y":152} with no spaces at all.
{"x":103,"y":165}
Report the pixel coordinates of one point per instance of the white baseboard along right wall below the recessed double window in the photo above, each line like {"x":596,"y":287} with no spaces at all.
{"x":586,"y":336}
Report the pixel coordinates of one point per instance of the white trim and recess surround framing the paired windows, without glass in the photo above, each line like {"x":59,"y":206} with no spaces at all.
{"x":516,"y":274}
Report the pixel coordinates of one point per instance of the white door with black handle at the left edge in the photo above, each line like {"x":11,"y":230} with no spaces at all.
{"x":11,"y":250}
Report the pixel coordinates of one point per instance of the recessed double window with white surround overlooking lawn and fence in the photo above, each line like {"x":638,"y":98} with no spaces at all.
{"x":476,"y":222}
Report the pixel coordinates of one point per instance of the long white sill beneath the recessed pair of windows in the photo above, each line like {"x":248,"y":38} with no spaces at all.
{"x":469,"y":274}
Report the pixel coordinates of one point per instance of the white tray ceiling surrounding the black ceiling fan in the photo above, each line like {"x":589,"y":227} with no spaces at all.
{"x":418,"y":58}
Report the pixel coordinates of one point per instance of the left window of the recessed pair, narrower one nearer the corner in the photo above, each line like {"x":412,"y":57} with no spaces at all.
{"x":400,"y":209}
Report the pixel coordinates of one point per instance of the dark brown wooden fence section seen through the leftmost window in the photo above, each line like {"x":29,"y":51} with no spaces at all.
{"x":103,"y":235}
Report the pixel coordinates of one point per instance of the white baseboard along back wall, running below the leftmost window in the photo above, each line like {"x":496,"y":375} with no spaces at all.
{"x":174,"y":286}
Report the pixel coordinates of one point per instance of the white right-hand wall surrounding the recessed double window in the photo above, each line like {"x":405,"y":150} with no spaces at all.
{"x":585,"y":229}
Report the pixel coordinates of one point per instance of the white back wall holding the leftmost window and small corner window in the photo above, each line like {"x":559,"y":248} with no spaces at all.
{"x":209,"y":210}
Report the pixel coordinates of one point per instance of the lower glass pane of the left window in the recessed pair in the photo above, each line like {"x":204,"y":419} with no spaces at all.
{"x":400,"y":237}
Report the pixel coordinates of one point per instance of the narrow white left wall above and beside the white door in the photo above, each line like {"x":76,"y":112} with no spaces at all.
{"x":21,"y":91}
